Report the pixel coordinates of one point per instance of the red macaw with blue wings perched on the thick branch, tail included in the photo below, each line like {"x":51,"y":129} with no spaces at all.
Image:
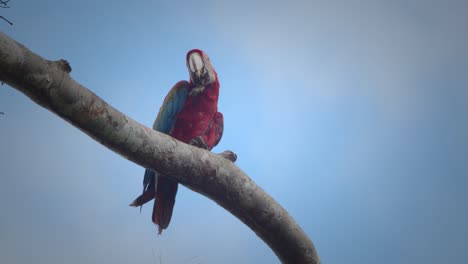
{"x":190,"y":114}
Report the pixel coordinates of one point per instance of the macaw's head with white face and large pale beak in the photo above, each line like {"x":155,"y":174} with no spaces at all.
{"x":202,"y":73}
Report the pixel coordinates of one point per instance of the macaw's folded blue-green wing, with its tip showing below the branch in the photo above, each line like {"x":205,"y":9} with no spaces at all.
{"x":165,"y":121}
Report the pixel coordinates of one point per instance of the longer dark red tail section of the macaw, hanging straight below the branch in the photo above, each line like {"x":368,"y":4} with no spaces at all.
{"x":164,"y":204}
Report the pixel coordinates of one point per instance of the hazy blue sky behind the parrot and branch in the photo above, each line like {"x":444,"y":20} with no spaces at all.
{"x":352,"y":114}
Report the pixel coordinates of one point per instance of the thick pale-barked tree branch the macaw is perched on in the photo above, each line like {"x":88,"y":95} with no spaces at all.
{"x":49,"y":84}
